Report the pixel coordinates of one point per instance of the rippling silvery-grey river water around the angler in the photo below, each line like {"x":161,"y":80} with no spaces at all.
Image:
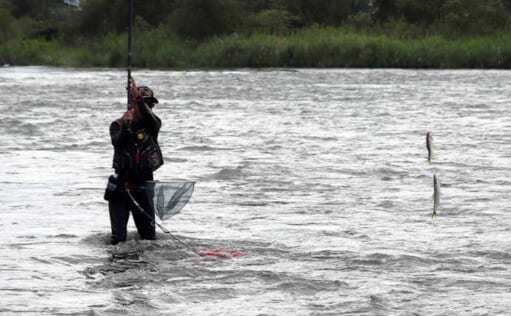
{"x":319,"y":177}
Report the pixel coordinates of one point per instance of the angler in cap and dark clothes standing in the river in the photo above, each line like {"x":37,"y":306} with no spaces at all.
{"x":137,"y":155}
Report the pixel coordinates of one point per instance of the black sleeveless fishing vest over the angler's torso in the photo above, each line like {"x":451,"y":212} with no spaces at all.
{"x":139,"y":156}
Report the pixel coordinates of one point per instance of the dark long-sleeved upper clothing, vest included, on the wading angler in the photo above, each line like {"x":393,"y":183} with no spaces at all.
{"x":136,"y":151}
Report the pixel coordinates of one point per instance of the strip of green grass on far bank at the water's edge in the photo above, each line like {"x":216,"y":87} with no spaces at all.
{"x":311,"y":47}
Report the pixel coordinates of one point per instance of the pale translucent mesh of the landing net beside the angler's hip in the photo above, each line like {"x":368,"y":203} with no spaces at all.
{"x":170,"y":197}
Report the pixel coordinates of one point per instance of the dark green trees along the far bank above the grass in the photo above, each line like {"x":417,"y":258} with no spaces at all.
{"x":198,"y":20}
